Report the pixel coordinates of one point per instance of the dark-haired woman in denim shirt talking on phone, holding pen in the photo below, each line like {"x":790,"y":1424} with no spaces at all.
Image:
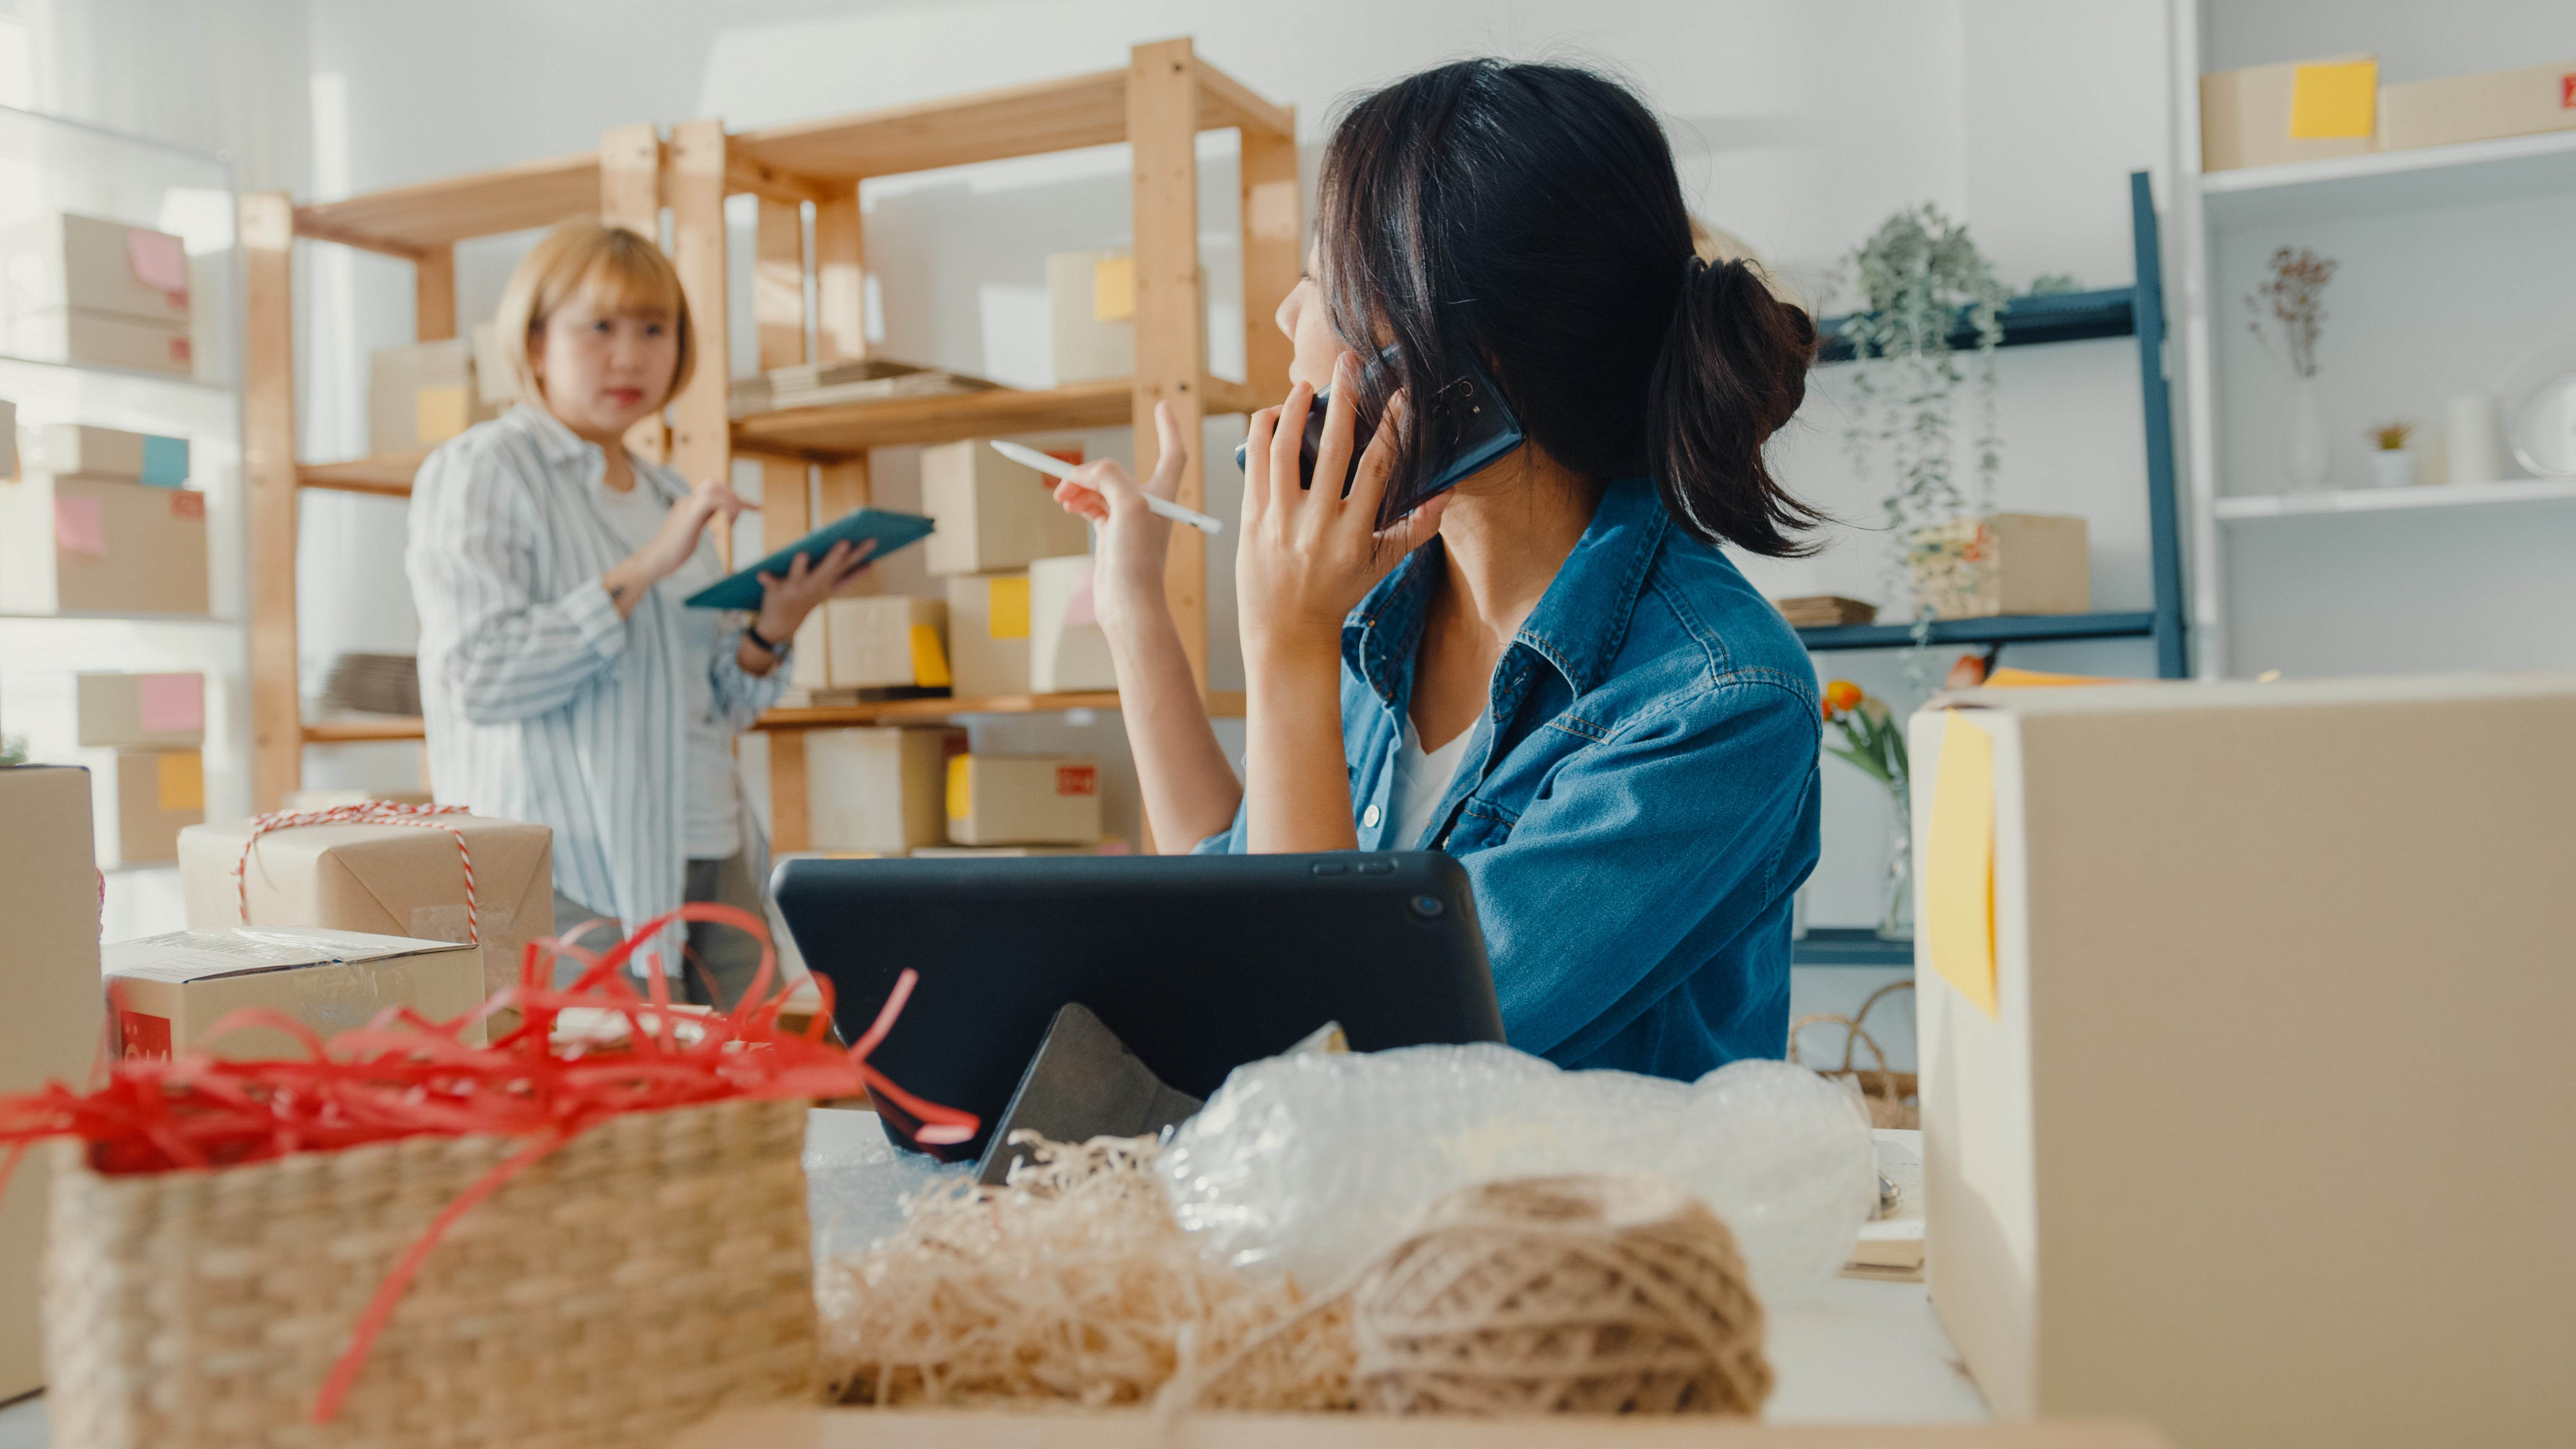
{"x":1549,"y":672}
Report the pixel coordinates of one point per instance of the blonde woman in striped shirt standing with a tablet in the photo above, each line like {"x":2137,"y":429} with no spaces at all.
{"x":560,"y":674}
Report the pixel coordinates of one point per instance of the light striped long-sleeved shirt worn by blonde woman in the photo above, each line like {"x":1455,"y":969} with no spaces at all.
{"x":540,"y":703}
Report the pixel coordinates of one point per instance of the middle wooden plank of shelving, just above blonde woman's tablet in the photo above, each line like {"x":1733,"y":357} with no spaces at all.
{"x":859,"y":427}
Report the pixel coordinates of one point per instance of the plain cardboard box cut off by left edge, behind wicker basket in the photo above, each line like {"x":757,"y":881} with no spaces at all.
{"x":53,"y":1022}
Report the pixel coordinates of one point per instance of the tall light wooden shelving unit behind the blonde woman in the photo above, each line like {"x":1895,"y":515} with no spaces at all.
{"x":815,"y":460}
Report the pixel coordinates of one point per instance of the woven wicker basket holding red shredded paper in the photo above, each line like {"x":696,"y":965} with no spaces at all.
{"x":640,"y":1278}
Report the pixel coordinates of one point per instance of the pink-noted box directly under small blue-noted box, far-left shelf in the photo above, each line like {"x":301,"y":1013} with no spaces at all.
{"x":102,"y":545}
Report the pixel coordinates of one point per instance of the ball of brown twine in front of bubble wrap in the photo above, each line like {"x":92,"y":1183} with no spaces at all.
{"x":1562,"y":1296}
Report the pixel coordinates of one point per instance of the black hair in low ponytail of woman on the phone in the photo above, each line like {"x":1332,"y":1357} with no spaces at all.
{"x":1529,"y":218}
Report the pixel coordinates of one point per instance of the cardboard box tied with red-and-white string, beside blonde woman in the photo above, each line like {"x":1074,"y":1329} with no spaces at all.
{"x":380,"y":880}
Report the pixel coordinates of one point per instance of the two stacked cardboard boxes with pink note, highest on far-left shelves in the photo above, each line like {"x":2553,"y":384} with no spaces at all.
{"x":84,"y":290}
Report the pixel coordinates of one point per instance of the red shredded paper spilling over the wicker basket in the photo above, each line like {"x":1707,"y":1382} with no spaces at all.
{"x":406,"y":1076}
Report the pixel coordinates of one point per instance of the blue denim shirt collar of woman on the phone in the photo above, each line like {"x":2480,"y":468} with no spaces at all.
{"x":1578,"y":625}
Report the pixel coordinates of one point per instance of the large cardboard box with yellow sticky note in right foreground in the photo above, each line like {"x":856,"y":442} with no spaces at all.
{"x":2160,"y":929}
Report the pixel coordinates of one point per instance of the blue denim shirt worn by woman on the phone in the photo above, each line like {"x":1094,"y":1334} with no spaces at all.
{"x":1640,"y":801}
